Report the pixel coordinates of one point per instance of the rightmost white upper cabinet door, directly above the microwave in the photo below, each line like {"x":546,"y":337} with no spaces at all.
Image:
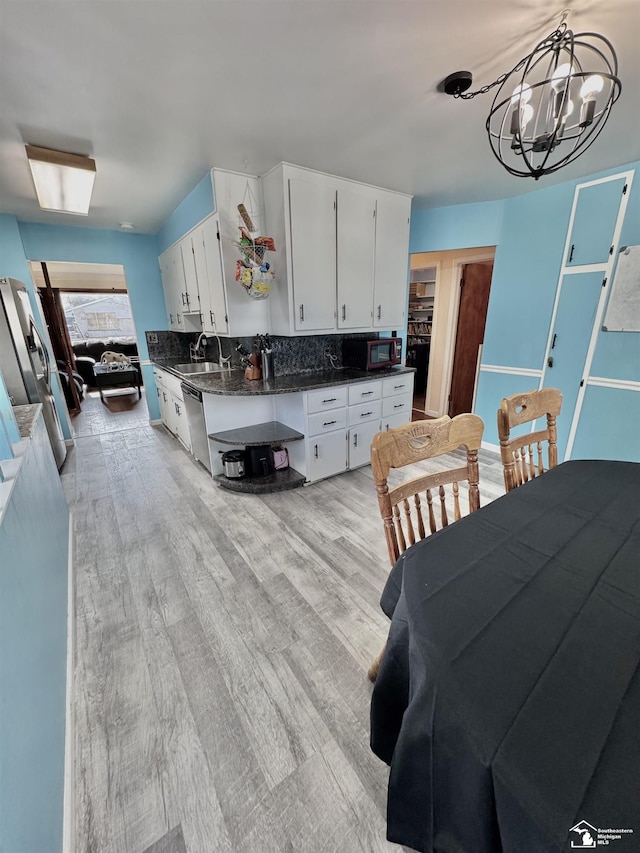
{"x":393,"y":214}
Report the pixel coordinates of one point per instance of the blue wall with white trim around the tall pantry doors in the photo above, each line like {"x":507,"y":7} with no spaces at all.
{"x":529,"y":232}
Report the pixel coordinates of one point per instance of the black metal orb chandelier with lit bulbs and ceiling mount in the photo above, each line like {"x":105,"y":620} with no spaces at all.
{"x":551,"y":107}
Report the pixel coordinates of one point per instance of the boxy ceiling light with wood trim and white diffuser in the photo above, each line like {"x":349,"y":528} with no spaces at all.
{"x":63,"y":182}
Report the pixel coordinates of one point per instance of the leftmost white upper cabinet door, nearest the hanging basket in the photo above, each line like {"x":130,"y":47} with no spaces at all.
{"x":313,"y":254}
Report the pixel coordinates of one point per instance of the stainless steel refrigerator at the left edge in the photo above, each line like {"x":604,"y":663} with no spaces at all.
{"x":24,"y":360}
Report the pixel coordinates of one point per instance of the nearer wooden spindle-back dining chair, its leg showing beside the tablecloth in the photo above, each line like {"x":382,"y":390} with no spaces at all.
{"x":405,"y":517}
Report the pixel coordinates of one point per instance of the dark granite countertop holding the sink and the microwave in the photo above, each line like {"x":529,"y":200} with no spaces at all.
{"x":232,"y":382}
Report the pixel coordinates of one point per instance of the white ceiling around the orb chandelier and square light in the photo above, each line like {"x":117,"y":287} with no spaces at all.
{"x":159,"y":91}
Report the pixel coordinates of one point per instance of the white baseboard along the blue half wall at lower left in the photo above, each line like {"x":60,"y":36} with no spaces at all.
{"x":68,"y":825}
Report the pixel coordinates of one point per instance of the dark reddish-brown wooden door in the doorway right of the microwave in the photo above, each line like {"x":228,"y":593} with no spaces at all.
{"x":472,"y":316}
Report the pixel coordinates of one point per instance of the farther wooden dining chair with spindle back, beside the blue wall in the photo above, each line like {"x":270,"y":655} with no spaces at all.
{"x":517,"y":453}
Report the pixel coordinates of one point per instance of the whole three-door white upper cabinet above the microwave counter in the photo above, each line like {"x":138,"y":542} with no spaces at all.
{"x":342,"y":253}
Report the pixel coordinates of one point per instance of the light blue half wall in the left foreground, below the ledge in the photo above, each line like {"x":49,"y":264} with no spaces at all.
{"x":33,"y":644}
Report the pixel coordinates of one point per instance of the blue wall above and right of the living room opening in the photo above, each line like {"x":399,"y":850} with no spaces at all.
{"x":138,"y":253}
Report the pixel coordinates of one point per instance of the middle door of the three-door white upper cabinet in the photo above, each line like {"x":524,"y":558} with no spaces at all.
{"x":356,"y":232}
